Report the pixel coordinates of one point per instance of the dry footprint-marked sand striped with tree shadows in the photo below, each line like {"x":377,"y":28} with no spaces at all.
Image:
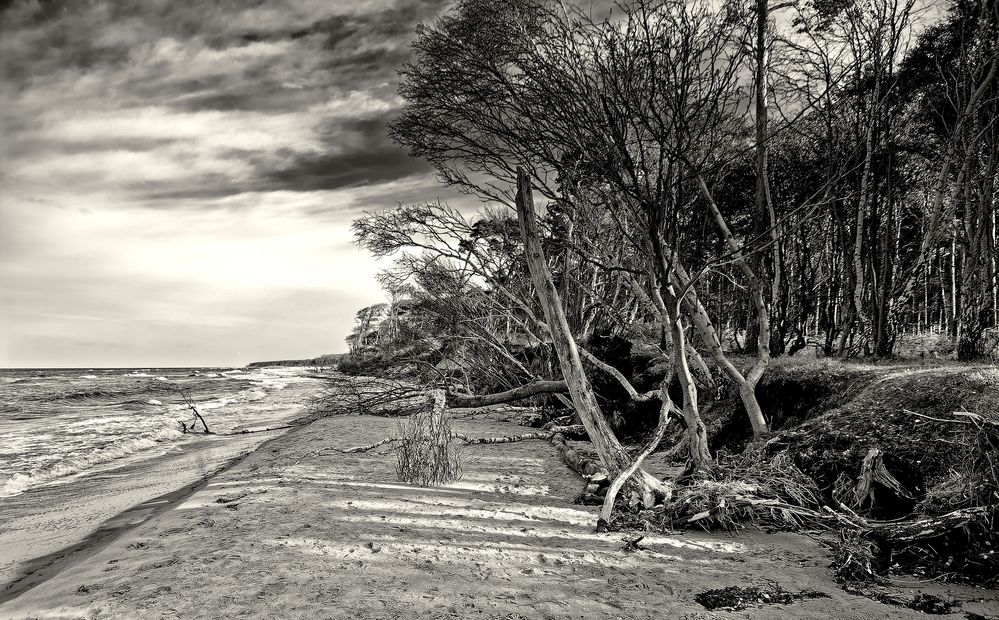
{"x":291,"y":533}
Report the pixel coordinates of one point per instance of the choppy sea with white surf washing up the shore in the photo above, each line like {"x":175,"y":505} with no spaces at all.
{"x":79,"y":446}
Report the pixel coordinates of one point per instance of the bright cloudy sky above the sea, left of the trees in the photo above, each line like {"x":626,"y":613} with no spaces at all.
{"x":178,"y":177}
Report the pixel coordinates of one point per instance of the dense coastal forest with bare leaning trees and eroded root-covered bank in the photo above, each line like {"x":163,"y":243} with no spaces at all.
{"x":756,"y":238}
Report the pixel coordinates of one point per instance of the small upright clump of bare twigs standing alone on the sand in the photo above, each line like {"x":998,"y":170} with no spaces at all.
{"x":426,"y":451}
